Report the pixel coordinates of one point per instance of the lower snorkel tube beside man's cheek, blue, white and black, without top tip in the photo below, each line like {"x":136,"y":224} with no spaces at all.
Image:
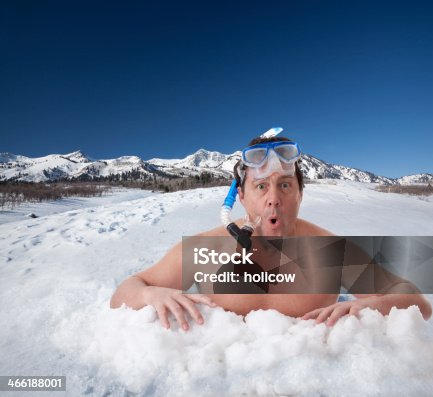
{"x":241,"y":235}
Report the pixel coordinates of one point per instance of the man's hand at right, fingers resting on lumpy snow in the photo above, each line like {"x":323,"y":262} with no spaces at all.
{"x":332,"y":313}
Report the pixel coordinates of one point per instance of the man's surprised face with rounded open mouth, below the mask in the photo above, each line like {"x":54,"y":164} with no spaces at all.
{"x":276,"y":199}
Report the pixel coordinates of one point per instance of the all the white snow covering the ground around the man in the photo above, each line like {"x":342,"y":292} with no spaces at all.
{"x":58,"y":271}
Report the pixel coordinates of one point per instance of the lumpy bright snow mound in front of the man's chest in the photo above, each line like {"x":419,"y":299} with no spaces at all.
{"x":264,"y":354}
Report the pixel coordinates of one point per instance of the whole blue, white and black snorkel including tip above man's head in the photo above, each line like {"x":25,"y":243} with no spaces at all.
{"x":241,"y":235}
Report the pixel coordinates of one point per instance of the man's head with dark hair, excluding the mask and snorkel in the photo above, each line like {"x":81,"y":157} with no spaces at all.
{"x":274,"y":197}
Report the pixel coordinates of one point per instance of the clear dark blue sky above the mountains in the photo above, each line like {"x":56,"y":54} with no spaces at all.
{"x":351,"y":81}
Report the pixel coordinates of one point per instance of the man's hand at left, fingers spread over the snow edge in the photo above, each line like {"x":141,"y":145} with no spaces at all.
{"x":166,"y":300}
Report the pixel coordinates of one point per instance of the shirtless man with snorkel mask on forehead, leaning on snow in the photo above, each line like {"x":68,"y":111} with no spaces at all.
{"x":270,"y":187}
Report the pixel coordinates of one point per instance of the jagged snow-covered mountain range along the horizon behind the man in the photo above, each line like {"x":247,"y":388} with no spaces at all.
{"x":77,"y":165}
